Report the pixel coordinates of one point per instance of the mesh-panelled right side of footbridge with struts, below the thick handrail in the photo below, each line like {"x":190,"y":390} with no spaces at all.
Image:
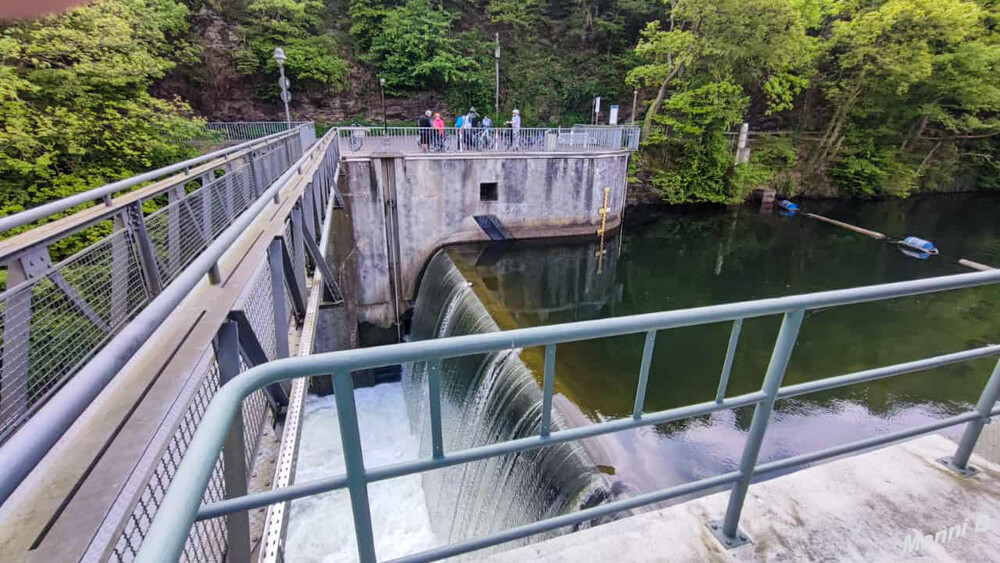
{"x":270,"y":304}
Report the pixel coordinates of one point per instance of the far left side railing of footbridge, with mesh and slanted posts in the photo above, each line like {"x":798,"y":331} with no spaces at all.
{"x":53,"y":317}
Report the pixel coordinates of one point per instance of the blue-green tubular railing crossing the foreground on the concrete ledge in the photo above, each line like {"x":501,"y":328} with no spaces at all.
{"x":181,"y":505}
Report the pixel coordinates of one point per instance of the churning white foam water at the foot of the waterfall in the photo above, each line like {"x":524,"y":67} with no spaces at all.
{"x":321,"y":528}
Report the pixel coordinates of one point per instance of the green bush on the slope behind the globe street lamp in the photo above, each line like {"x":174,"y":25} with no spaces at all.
{"x":295,"y":25}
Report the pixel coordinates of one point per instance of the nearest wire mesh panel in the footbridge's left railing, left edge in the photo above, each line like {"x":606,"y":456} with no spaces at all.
{"x":51,"y":324}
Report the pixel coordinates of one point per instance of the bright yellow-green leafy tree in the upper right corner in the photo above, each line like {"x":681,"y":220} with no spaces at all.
{"x":922,"y":62}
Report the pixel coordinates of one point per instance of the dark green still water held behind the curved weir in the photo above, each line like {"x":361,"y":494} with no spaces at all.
{"x":668,"y":259}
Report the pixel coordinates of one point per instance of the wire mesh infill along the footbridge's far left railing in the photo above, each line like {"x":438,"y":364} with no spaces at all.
{"x":53,"y":323}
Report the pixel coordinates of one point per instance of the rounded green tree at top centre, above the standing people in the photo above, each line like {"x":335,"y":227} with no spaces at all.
{"x":416,"y":49}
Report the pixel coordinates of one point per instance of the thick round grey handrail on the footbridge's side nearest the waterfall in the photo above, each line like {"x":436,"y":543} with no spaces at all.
{"x":25,"y":448}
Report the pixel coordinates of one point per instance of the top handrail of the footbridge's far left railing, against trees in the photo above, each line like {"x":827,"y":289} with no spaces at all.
{"x":51,"y":208}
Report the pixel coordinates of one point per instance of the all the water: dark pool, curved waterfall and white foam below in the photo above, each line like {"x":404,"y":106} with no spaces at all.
{"x":662,"y":259}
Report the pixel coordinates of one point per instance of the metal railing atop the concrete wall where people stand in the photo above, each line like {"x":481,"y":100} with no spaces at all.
{"x":378,"y":140}
